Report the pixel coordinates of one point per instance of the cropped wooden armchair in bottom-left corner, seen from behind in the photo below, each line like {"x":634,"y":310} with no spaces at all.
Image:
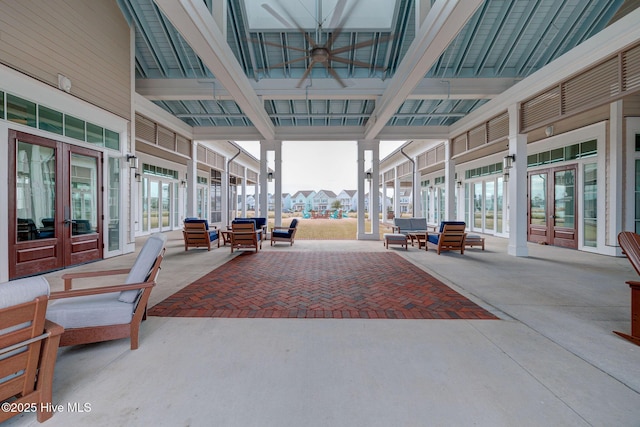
{"x":28,"y":348}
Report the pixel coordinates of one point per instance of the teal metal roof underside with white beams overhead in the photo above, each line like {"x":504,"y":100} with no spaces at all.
{"x":502,"y":42}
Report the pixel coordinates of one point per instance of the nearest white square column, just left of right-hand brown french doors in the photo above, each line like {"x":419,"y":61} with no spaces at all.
{"x":517,"y":188}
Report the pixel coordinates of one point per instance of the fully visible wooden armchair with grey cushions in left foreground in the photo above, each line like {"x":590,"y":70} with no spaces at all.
{"x":110,"y":312}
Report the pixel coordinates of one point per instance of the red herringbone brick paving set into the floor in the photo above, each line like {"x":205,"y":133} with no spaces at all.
{"x":375,"y":285}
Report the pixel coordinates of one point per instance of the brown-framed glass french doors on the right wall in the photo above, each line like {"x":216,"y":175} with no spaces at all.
{"x":552,"y":206}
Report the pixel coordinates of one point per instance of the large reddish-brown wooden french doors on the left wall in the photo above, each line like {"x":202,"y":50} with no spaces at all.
{"x":55,"y":205}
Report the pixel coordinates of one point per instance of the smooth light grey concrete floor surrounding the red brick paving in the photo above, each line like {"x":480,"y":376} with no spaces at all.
{"x":551,"y":359}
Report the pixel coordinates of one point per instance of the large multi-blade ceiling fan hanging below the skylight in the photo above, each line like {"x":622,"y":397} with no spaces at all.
{"x":321,"y":52}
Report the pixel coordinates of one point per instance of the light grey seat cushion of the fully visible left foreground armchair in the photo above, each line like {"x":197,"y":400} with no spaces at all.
{"x":92,"y":310}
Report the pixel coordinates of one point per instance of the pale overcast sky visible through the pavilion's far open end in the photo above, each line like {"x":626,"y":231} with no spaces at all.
{"x":318,"y":165}
